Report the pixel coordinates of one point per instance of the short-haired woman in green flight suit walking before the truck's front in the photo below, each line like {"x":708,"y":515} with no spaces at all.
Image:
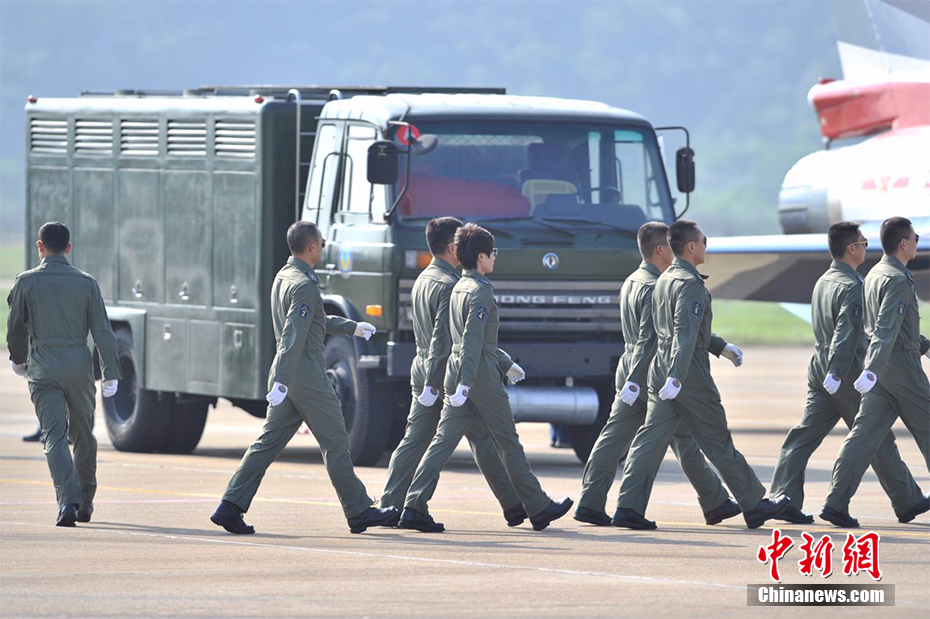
{"x":474,"y":390}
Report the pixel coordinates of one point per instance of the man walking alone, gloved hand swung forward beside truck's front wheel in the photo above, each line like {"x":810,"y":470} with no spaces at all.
{"x":301,"y":392}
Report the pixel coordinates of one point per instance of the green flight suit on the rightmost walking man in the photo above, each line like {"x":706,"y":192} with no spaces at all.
{"x":892,"y":325}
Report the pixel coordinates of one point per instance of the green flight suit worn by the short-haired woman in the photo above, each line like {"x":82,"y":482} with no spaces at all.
{"x":475,"y":363}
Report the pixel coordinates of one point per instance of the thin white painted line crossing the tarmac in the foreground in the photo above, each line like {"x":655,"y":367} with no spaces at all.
{"x":356,"y":553}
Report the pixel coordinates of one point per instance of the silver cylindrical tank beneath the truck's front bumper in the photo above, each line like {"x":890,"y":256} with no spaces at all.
{"x":568,"y":405}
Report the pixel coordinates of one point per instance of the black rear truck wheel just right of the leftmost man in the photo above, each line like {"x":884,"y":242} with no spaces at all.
{"x":136,"y":419}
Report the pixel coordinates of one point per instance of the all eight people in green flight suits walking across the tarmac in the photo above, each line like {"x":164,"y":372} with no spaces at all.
{"x":866,"y":370}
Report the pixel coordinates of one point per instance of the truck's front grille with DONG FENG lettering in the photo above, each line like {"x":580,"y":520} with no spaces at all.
{"x":552,"y":307}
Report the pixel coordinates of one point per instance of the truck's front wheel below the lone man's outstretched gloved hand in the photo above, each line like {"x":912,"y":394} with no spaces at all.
{"x":365,"y":403}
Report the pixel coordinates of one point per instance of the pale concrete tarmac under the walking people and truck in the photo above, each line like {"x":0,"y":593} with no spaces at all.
{"x":151,"y":549}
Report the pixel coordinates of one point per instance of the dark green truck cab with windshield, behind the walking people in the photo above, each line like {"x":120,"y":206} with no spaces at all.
{"x":563,"y":185}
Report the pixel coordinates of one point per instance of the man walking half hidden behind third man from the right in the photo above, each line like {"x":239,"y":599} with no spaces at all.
{"x":629,"y":408}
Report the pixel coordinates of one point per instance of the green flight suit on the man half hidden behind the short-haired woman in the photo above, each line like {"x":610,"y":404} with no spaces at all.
{"x":430,"y":299}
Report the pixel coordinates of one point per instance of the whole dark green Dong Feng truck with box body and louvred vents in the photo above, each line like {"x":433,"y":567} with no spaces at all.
{"x":178,"y":204}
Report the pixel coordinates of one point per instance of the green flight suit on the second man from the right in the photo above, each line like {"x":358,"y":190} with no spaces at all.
{"x":837,"y":322}
